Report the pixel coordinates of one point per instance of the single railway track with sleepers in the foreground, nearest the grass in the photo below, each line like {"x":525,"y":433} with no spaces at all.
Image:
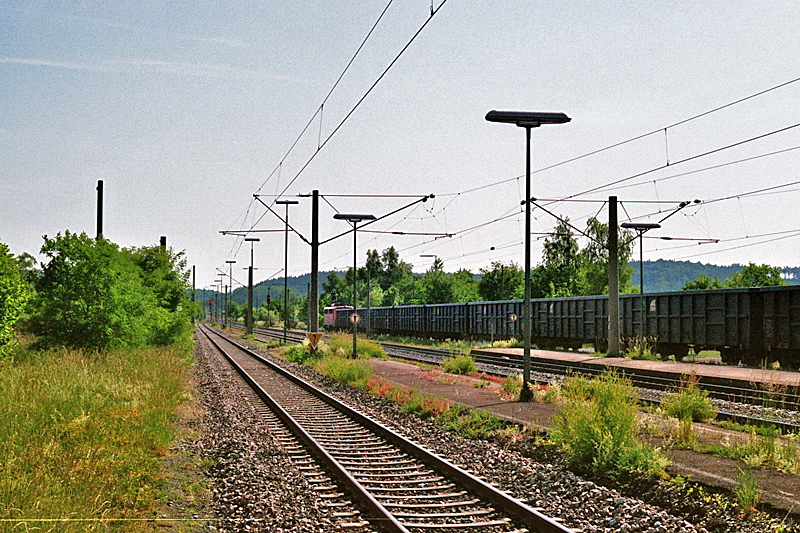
{"x":399,"y":486}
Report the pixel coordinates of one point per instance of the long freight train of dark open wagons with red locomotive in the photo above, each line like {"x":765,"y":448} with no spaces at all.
{"x":747,"y":325}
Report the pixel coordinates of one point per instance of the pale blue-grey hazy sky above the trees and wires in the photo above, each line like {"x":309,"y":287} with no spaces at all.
{"x":186,"y":110}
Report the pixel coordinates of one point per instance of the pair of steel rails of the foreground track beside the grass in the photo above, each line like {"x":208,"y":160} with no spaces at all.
{"x":503,"y":502}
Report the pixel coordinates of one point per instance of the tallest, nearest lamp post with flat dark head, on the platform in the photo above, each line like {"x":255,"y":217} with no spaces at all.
{"x":527,"y":120}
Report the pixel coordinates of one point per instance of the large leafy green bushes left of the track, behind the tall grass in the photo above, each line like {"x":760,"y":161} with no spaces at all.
{"x":93,"y":294}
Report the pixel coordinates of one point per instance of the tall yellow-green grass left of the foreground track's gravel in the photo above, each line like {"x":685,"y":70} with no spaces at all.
{"x":82,"y":434}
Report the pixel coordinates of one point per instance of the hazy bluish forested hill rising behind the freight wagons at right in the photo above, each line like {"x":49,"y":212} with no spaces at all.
{"x":667,"y":276}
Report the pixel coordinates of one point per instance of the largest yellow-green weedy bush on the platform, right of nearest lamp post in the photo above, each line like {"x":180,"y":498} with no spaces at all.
{"x":597,"y":428}
